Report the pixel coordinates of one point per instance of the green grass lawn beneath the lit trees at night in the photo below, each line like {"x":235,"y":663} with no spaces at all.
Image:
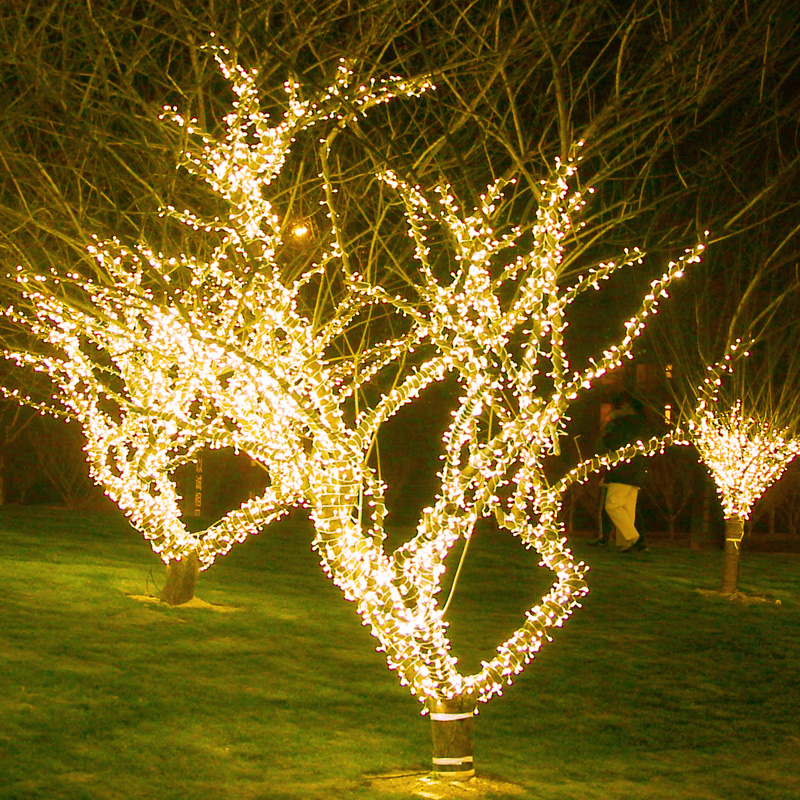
{"x":651,"y":691}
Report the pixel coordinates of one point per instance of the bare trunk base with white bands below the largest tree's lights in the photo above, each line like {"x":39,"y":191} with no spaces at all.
{"x":451,"y":730}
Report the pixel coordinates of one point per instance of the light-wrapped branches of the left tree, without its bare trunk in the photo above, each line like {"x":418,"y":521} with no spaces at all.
{"x":141,"y":375}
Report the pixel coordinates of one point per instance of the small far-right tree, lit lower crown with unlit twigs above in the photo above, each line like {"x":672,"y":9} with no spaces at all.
{"x":741,"y":414}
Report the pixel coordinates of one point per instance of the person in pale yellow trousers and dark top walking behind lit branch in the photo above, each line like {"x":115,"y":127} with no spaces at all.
{"x":627,"y":425}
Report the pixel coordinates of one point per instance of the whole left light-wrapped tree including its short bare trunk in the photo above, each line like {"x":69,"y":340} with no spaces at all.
{"x":118,"y":355}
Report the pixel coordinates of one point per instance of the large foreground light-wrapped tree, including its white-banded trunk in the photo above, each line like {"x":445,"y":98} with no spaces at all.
{"x":497,"y":320}
